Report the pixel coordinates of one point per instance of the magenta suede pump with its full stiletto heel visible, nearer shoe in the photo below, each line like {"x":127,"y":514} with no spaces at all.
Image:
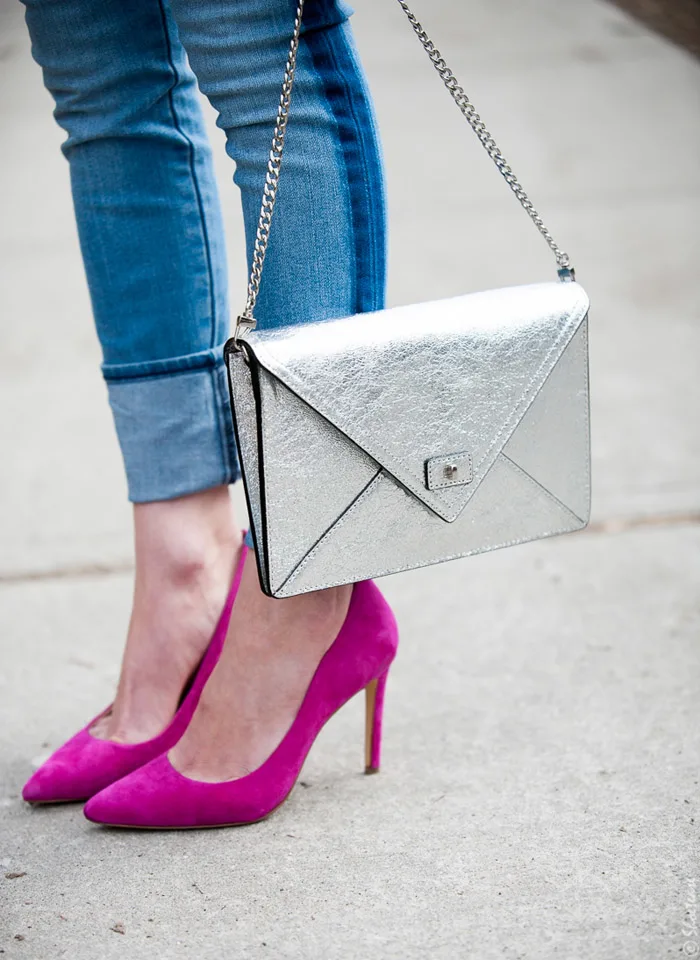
{"x":157,"y":796}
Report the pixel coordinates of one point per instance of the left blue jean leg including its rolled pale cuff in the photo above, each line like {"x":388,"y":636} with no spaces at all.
{"x":150,"y":231}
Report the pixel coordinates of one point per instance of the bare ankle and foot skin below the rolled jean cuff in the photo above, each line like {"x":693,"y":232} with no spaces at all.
{"x":186,"y":551}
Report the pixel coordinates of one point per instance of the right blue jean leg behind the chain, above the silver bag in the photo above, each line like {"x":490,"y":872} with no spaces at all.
{"x":327,"y":249}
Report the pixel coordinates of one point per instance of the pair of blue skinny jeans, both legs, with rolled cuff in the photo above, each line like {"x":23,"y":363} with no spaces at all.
{"x":123,"y":74}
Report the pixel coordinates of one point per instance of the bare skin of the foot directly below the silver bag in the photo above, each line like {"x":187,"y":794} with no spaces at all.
{"x":272,"y":650}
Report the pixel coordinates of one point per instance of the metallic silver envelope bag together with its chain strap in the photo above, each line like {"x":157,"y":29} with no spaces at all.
{"x":386,"y":441}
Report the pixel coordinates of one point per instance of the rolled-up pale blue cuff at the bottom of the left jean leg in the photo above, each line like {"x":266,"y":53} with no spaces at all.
{"x":174,"y":428}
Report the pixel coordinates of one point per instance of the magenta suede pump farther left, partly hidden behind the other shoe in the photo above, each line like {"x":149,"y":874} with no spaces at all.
{"x":85,"y":764}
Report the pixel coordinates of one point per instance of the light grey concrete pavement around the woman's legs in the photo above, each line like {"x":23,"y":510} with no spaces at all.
{"x":539,"y":796}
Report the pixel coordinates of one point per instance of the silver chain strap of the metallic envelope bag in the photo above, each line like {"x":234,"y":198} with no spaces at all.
{"x":274,"y":164}
